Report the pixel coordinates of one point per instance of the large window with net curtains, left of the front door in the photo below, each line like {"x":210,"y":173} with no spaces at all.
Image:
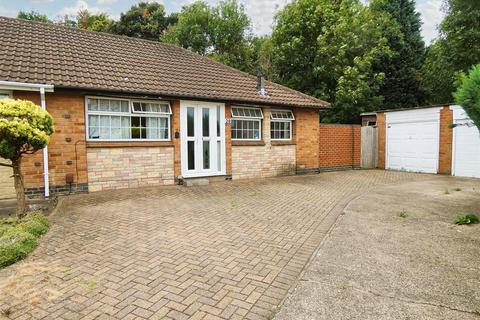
{"x":122,"y":119}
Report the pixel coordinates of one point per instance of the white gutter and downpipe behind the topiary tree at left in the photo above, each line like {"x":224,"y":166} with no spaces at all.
{"x":41,"y":88}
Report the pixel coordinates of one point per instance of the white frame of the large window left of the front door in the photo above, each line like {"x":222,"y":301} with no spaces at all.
{"x":130,"y":114}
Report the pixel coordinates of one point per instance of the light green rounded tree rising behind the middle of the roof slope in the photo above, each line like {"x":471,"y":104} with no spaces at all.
{"x":220,"y":32}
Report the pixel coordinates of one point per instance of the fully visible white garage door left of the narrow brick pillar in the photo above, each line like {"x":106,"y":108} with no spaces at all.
{"x":413,"y":140}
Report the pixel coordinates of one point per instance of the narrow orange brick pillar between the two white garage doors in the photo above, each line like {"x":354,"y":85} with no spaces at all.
{"x":446,"y":138}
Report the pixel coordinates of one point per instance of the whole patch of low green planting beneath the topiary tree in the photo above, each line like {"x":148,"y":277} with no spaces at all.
{"x":20,"y":237}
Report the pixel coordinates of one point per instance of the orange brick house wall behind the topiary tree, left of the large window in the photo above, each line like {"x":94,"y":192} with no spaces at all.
{"x":65,"y":157}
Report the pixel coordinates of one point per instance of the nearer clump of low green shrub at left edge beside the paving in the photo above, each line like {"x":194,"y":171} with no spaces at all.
{"x":15,"y":245}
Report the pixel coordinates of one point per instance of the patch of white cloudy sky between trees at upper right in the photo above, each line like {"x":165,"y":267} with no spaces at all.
{"x":432,"y":15}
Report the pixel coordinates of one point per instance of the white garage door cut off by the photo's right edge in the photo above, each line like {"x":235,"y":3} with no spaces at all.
{"x":466,"y":150}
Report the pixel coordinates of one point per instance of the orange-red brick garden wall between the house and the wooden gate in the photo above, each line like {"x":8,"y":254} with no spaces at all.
{"x":339,"y":146}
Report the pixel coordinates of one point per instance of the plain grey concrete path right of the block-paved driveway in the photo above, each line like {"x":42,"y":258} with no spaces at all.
{"x":395,"y":254}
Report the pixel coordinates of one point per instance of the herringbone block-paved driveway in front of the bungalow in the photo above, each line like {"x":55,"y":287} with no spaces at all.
{"x":231,"y":250}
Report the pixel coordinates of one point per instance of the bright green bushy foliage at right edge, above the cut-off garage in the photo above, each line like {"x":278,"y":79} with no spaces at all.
{"x":468,"y":94}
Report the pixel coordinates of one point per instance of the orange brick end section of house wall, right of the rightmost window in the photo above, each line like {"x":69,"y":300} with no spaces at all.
{"x":307,"y":123}
